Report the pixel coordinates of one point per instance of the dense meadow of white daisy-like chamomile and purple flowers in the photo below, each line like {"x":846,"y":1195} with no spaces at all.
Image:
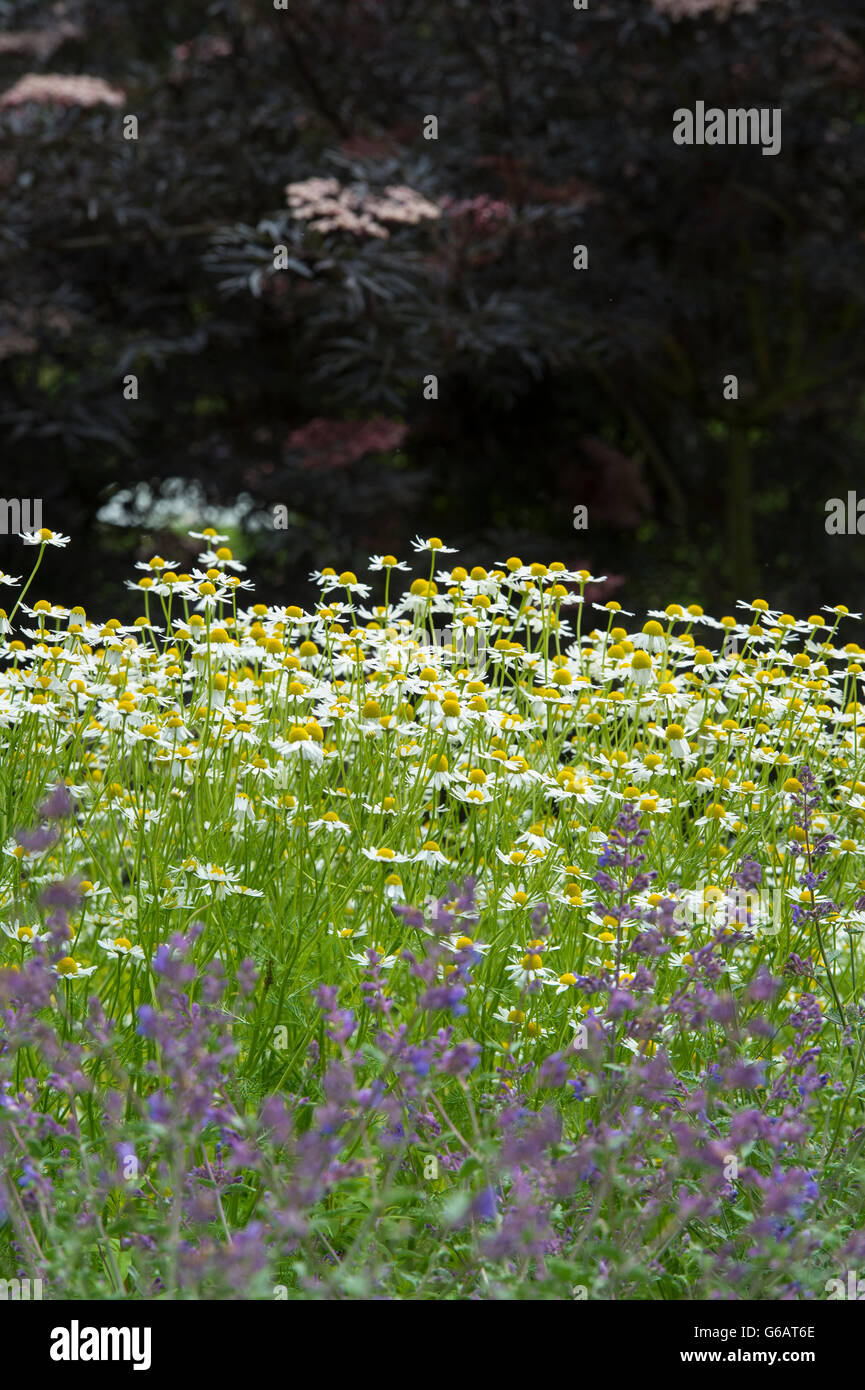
{"x":460,"y":938}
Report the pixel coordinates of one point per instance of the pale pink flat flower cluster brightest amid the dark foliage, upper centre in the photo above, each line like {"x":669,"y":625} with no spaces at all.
{"x":330,"y":206}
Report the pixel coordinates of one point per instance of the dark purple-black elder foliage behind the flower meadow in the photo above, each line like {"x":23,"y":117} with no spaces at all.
{"x":304,"y":387}
